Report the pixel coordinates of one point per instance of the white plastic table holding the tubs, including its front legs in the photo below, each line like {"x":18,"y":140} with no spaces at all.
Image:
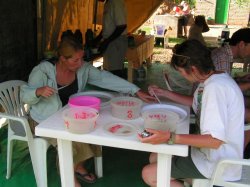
{"x":53,"y":127}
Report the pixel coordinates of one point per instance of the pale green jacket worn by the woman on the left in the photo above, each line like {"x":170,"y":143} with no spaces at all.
{"x":44,"y":74}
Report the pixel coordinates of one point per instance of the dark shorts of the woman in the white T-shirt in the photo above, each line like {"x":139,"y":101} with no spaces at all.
{"x":184,"y":168}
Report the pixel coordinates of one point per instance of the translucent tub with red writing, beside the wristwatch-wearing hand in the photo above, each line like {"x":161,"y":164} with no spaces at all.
{"x":160,"y":120}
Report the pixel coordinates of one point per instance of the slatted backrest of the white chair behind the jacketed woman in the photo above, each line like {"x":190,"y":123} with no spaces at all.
{"x":12,"y":104}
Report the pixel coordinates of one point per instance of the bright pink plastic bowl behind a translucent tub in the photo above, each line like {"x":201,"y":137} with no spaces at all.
{"x":87,"y":101}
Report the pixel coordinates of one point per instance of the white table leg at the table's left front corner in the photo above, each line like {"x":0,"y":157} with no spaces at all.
{"x":66,"y":162}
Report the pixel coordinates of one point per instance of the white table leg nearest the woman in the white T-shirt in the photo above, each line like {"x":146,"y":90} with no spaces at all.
{"x":163,"y":170}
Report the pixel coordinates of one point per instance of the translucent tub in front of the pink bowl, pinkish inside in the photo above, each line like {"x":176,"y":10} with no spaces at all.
{"x":80,"y":120}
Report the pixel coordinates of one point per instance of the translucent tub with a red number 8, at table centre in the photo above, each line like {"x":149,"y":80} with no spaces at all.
{"x":126,"y":107}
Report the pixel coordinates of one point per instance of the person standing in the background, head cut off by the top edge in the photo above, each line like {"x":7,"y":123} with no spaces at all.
{"x":113,"y":36}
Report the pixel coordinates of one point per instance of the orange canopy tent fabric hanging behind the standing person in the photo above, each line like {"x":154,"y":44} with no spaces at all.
{"x":56,"y":16}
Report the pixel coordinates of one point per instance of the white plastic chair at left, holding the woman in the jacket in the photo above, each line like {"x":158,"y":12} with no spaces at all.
{"x":19,"y":129}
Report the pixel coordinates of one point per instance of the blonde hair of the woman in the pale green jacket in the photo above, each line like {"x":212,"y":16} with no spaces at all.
{"x":68,"y":46}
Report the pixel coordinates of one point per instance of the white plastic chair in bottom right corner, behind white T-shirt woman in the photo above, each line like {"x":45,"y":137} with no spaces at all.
{"x":217,"y":178}
